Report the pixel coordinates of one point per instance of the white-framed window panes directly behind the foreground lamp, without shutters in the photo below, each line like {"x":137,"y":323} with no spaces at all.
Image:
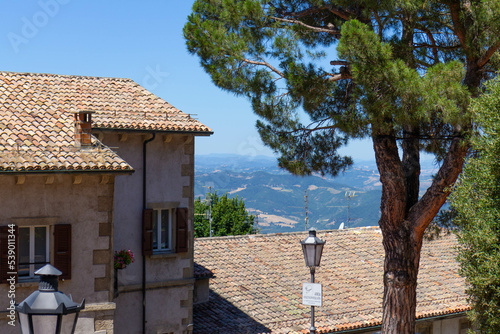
{"x":33,"y":250}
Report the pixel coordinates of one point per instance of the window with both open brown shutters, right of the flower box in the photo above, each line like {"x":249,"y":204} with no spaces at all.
{"x":164,"y":230}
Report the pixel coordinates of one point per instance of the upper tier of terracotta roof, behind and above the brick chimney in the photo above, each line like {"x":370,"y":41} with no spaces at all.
{"x":118,"y":103}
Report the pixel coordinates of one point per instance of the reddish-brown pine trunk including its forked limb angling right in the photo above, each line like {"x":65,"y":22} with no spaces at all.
{"x":403,"y":220}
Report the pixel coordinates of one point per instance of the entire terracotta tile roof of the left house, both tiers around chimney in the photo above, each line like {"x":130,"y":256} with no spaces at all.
{"x":36,"y":120}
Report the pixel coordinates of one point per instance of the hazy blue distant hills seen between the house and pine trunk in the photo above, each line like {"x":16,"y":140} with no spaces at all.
{"x":278,"y":198}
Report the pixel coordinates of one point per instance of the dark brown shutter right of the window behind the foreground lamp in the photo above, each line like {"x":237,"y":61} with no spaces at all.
{"x":62,"y":249}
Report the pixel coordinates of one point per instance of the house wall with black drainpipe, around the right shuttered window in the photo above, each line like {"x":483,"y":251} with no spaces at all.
{"x":169,"y":277}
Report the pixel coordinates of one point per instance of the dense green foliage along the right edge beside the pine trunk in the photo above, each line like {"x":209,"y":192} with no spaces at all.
{"x":477,"y":202}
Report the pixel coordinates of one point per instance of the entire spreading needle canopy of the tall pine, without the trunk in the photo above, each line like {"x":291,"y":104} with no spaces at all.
{"x":276,"y":53}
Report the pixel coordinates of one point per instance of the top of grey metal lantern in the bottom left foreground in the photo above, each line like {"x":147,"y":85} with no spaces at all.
{"x":48,"y":310}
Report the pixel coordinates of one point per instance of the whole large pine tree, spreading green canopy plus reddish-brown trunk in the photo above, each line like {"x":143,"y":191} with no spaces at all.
{"x":322,"y":72}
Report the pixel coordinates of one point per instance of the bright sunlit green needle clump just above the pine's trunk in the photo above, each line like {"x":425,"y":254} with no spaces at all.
{"x":393,"y":94}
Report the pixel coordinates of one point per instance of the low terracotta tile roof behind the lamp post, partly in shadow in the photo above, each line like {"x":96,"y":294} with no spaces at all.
{"x":257,"y":286}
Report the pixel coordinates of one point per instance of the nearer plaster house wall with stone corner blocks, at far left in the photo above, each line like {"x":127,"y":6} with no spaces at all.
{"x":86,"y":202}
